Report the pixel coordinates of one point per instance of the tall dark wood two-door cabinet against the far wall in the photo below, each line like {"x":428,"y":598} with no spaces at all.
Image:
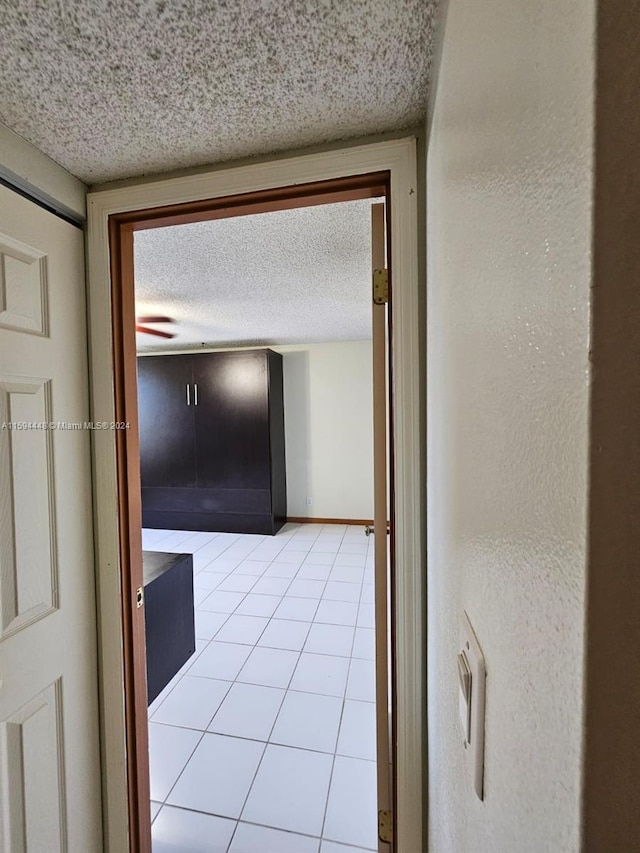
{"x":212,"y":441}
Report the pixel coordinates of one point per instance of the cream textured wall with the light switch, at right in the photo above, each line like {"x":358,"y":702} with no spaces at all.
{"x":509,"y":183}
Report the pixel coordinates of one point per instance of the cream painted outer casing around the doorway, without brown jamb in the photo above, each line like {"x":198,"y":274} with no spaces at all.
{"x":399,"y":158}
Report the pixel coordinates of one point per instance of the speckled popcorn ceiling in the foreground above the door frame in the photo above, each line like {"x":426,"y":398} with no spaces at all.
{"x":120,"y":88}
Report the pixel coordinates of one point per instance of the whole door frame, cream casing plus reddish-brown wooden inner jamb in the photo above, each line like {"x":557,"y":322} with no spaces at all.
{"x":113,"y":215}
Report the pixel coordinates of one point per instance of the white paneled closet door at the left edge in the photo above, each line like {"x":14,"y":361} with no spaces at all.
{"x":49,"y":736}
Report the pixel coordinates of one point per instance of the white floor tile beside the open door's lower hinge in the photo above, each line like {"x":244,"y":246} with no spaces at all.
{"x":352,"y":819}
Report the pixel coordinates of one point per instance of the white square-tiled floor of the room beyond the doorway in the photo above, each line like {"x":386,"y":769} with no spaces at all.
{"x":265,"y":741}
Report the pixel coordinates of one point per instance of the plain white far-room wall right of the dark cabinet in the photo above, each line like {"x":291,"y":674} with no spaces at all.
{"x":328,"y":401}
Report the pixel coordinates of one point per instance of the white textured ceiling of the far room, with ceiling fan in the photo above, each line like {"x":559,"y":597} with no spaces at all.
{"x":292,"y":276}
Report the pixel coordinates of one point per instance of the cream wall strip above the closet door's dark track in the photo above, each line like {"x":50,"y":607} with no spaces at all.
{"x":29,"y":169}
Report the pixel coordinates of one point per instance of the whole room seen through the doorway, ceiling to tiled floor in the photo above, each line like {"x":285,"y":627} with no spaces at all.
{"x":262,"y":722}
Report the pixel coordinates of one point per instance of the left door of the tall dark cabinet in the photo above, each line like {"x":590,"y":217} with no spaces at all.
{"x":165,"y":411}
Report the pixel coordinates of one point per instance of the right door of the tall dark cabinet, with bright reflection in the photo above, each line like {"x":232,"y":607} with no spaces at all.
{"x":232,"y":420}
